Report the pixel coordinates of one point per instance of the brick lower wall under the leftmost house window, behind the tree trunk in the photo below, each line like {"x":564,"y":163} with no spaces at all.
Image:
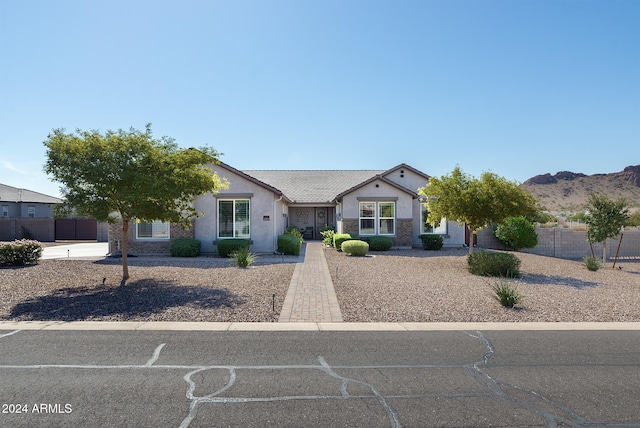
{"x":141,"y":247}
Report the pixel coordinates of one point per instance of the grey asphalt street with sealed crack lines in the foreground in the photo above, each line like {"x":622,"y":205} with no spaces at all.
{"x":319,"y":378}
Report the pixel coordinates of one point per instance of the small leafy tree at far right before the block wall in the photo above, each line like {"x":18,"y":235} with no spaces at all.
{"x":605,"y":219}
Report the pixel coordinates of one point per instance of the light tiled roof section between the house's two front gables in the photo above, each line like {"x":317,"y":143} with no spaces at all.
{"x":313,"y":186}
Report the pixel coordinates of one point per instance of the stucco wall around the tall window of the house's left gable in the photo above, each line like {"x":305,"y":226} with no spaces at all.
{"x":266,"y":213}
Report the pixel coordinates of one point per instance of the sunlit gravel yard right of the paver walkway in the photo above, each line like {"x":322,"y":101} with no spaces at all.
{"x":435,"y":286}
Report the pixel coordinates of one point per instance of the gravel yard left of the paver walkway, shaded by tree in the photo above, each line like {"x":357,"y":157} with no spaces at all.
{"x":202,"y":289}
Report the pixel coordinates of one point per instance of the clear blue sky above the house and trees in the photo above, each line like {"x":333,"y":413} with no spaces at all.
{"x":516,"y":87}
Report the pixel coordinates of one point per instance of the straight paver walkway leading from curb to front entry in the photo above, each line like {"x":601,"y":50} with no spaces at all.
{"x":311,"y":297}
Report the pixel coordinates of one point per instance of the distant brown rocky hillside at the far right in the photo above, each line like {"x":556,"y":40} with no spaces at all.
{"x":569,"y":191}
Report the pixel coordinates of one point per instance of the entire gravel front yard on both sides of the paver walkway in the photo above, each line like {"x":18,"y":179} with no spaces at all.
{"x":393,"y":286}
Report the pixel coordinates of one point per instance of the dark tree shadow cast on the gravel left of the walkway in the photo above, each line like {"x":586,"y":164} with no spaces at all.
{"x":135,"y":300}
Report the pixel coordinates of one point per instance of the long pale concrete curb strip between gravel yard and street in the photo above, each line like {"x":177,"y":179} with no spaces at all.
{"x":310,"y":326}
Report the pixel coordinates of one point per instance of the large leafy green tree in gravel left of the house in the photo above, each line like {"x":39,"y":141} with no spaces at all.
{"x":122,"y":175}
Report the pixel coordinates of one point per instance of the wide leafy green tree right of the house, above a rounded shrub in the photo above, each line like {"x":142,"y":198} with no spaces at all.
{"x":476,"y":202}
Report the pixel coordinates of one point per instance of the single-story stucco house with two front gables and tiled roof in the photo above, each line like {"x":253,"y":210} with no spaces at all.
{"x":260,"y":205}
